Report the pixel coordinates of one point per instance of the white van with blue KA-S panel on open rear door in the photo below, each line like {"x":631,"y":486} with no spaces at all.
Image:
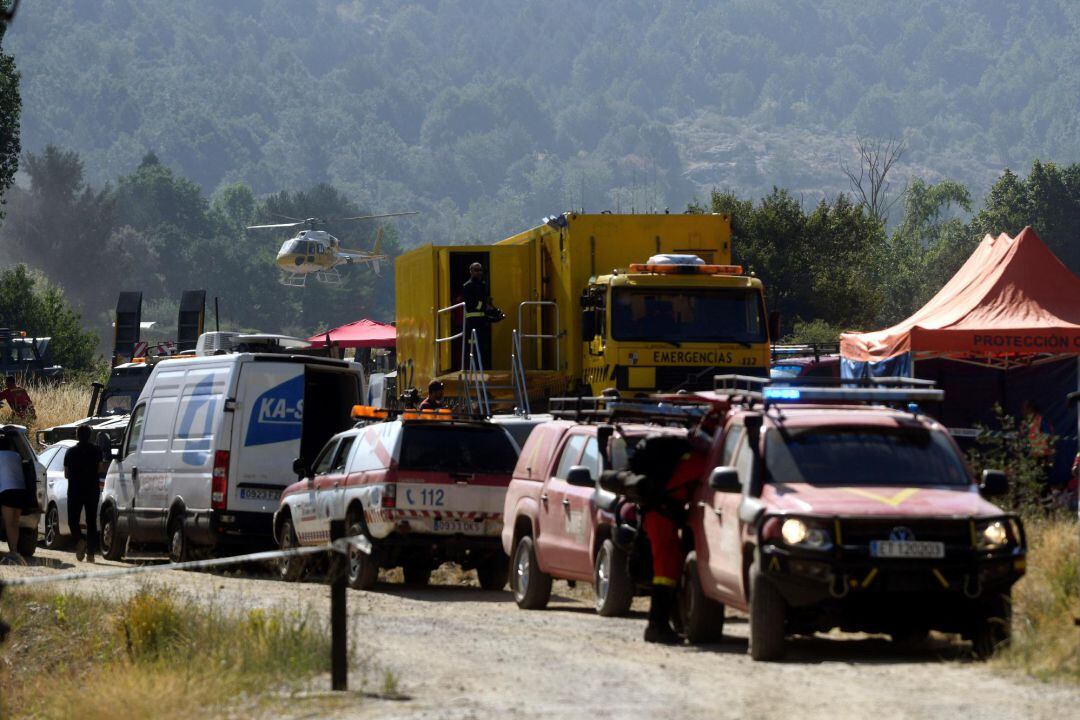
{"x":210,"y":447}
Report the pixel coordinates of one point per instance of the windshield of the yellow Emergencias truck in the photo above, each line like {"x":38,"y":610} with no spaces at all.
{"x":688,"y":316}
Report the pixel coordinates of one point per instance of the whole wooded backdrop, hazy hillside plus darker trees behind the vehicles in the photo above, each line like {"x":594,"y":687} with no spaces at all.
{"x":153,"y":132}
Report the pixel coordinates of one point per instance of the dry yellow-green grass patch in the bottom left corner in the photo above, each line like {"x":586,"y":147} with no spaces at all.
{"x":73,"y":656}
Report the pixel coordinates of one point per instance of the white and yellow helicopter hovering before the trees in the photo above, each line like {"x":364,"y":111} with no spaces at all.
{"x":319,"y":253}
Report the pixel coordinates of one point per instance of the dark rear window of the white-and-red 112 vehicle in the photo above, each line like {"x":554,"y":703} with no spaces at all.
{"x":445,"y":449}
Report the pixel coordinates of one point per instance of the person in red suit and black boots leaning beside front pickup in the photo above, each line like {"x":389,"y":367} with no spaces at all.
{"x":663,"y":525}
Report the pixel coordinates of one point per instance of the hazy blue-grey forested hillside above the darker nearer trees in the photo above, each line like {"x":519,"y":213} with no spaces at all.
{"x":487,"y":115}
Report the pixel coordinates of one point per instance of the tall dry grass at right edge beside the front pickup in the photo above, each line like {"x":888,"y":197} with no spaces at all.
{"x":1046,"y":603}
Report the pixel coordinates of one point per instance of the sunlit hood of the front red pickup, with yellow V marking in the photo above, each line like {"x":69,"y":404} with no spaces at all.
{"x":936,"y":501}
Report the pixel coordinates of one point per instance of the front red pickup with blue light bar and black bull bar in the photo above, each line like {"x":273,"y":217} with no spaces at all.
{"x":832,"y":514}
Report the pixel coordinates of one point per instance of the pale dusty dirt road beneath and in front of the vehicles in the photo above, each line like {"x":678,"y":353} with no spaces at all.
{"x":462,"y":653}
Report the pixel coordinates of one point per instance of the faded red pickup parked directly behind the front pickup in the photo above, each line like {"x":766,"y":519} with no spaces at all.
{"x":553,"y":527}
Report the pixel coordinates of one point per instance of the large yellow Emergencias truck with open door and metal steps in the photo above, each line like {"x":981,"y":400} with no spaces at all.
{"x":638,"y":303}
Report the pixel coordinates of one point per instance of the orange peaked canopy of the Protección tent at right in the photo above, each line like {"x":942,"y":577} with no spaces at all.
{"x":1012,"y":297}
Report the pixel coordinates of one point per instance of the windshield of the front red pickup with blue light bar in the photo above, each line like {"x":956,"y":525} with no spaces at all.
{"x":863,"y":456}
